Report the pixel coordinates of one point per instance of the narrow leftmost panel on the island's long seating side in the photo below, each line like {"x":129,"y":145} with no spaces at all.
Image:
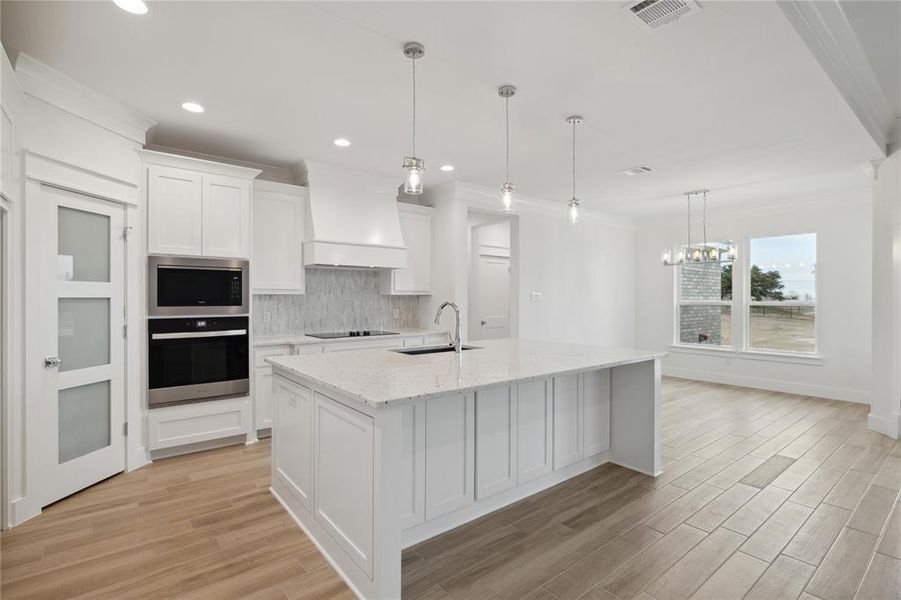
{"x":412,"y":494}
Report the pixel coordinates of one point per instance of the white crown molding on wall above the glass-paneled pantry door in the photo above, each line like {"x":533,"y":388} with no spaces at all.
{"x":49,"y":85}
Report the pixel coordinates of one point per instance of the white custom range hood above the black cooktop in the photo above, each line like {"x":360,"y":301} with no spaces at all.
{"x":352,"y":220}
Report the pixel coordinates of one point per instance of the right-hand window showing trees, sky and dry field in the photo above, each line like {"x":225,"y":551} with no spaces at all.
{"x":782,"y":294}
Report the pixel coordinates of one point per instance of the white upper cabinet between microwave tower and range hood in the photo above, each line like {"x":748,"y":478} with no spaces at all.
{"x":278,"y":231}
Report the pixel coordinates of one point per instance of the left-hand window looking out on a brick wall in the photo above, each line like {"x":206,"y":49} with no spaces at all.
{"x":704,"y":304}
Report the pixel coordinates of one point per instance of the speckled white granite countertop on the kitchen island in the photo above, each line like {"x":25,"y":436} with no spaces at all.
{"x":379,"y":376}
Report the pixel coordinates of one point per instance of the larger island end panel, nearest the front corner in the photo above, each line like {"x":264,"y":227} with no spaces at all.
{"x":343,"y":455}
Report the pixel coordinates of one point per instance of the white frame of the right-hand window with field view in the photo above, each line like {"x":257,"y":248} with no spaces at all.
{"x":746,"y":349}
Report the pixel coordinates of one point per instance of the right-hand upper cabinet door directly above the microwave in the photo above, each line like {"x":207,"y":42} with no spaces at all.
{"x":226,"y":216}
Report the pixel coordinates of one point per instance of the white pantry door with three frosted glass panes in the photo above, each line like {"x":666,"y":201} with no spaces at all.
{"x":83,"y":318}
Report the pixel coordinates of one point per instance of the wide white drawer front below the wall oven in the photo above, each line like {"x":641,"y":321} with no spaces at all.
{"x":172,"y":426}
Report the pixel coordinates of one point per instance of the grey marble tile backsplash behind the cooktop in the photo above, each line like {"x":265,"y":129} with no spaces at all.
{"x":336,"y":300}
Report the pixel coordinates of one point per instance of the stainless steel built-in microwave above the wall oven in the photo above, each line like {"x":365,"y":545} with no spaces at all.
{"x":197,"y":286}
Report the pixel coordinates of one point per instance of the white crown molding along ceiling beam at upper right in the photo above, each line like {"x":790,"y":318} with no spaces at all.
{"x":825,"y":29}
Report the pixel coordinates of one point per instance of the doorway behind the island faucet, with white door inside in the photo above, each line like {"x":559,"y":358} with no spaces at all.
{"x":490,"y":276}
